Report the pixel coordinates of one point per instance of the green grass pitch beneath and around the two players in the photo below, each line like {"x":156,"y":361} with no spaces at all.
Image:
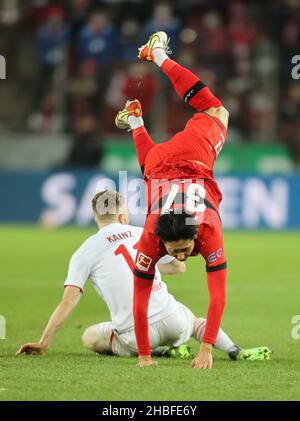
{"x":262,"y":297}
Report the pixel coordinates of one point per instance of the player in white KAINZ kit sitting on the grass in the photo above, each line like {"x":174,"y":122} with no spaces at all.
{"x":107,"y":258}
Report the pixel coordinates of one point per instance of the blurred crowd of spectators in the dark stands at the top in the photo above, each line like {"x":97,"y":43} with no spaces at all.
{"x":84,"y":64}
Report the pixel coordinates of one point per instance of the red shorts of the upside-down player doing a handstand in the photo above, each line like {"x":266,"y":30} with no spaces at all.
{"x":201,"y":140}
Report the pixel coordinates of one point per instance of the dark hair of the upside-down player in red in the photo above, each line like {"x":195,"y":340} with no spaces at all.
{"x":174,"y":227}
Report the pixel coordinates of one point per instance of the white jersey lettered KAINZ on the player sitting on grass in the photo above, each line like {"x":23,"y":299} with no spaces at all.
{"x":107,"y":258}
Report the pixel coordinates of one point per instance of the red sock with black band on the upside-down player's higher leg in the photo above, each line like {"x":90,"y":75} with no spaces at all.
{"x":189,"y":87}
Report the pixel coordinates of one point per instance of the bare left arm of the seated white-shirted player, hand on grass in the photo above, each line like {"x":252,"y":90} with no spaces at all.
{"x":70,"y":299}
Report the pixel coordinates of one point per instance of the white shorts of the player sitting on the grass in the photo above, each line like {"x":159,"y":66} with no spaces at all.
{"x":174,"y":329}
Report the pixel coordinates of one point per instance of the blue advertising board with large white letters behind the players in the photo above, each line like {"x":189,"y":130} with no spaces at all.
{"x":249,"y":201}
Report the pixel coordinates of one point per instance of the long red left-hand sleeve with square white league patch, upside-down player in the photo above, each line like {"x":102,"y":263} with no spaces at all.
{"x":149,"y":252}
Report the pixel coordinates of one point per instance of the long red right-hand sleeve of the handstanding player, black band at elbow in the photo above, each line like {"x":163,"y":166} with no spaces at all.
{"x":213,"y":252}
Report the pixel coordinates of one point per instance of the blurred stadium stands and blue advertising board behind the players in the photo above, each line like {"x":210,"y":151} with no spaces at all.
{"x":72,"y":64}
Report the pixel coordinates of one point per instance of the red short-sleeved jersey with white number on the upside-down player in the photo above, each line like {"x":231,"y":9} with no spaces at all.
{"x":180,"y":194}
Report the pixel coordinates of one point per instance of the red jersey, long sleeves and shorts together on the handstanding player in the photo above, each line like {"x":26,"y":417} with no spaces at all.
{"x":174,"y":182}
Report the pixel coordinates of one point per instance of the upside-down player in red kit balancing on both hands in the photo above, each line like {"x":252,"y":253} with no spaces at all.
{"x":182,"y":196}
